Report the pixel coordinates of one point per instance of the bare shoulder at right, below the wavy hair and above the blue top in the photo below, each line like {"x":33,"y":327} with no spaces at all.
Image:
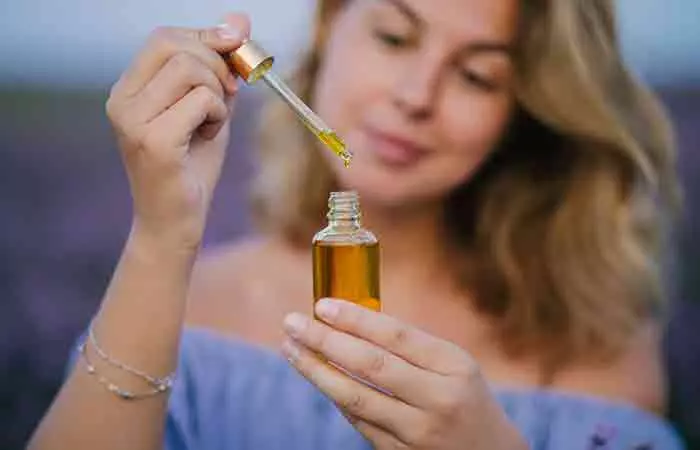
{"x":636,"y":376}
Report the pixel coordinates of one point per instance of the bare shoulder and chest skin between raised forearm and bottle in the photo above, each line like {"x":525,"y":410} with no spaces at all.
{"x":245,"y":289}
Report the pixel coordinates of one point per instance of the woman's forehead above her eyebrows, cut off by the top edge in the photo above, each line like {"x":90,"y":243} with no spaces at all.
{"x":462,"y":19}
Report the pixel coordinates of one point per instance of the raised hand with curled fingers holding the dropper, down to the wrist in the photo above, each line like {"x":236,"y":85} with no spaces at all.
{"x":170,"y":111}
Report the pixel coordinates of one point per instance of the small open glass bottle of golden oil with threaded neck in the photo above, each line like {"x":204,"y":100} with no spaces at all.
{"x":346,"y":256}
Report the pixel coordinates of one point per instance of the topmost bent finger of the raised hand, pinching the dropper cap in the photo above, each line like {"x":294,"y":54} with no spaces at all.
{"x":204,"y":44}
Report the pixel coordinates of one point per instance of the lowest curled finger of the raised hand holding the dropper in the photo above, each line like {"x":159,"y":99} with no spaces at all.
{"x":174,"y":128}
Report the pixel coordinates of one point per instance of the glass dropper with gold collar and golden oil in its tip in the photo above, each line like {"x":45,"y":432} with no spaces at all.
{"x":252,"y":62}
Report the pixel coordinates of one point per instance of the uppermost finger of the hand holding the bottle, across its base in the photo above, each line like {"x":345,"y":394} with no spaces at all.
{"x":413,"y":345}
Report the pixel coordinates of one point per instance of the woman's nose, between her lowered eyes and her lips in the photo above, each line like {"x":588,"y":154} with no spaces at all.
{"x":416,"y":90}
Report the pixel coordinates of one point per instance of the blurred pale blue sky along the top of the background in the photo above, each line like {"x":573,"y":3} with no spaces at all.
{"x":89,"y":42}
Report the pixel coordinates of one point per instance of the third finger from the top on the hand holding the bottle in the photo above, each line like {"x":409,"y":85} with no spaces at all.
{"x":351,"y":396}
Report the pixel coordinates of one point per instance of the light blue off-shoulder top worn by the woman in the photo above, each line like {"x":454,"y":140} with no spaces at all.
{"x":231,"y":395}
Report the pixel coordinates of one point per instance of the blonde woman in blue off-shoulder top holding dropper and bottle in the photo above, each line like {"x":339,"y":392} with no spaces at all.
{"x":509,"y":164}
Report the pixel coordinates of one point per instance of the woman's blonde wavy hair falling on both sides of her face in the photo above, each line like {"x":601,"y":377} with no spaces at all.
{"x":560,"y":228}
